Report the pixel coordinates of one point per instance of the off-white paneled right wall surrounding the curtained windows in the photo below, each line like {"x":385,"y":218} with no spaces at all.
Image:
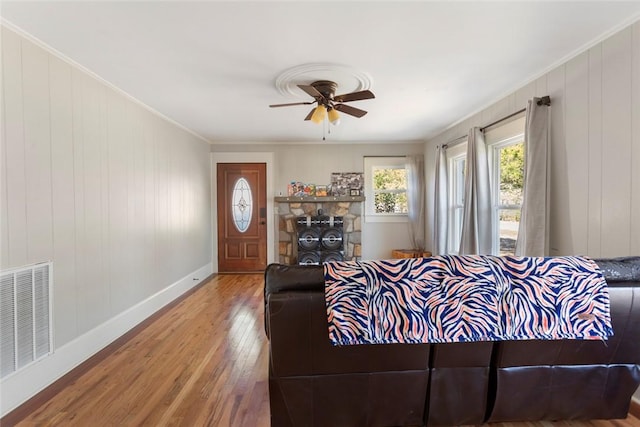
{"x":595,"y":147}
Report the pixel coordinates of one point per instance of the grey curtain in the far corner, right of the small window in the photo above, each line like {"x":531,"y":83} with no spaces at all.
{"x":415,"y":200}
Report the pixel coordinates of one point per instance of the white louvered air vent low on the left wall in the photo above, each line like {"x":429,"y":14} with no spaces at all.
{"x":25,"y":316}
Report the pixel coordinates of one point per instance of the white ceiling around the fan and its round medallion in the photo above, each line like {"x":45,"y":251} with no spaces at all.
{"x":212,"y":66}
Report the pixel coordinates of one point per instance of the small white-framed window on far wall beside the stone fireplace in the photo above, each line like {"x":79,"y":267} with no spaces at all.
{"x":385,"y":189}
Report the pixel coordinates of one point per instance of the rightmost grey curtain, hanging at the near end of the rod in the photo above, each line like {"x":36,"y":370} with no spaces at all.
{"x":533,"y":231}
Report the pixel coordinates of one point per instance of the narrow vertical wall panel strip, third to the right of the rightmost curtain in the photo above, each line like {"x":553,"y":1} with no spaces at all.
{"x":594,"y":167}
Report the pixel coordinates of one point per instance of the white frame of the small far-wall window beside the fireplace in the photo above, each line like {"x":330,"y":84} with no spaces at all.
{"x":387,"y":162}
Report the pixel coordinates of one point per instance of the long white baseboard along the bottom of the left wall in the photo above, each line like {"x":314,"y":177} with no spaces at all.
{"x":26,"y":383}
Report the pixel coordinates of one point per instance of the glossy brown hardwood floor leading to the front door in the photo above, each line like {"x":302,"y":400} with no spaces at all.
{"x":203,"y":362}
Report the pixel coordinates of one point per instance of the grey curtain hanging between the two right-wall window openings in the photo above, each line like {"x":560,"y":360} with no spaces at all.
{"x":476,"y":233}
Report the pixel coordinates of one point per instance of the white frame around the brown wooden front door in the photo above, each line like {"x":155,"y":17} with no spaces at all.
{"x":249,"y":157}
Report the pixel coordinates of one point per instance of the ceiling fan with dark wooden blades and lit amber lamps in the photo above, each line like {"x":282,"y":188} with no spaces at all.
{"x":323,"y":92}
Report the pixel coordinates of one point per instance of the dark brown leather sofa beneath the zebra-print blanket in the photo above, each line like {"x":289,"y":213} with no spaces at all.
{"x":312,"y":383}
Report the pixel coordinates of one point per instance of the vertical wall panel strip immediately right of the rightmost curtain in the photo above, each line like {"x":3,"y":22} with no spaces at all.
{"x":560,"y":230}
